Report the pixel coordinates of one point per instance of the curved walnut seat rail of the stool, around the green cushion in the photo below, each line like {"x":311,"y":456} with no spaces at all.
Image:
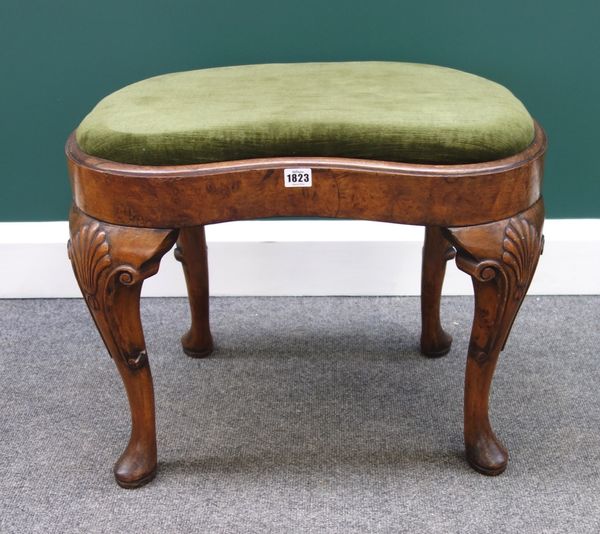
{"x":188,"y":195}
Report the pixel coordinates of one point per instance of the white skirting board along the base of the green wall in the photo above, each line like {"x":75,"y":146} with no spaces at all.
{"x":292,"y":257}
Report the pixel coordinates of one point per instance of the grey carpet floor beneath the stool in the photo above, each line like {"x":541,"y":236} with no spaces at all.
{"x":314,"y":415}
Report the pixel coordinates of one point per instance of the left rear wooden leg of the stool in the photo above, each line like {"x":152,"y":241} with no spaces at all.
{"x":191,"y":252}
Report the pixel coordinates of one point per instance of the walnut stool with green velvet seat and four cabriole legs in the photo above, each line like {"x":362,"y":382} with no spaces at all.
{"x":414,"y":144}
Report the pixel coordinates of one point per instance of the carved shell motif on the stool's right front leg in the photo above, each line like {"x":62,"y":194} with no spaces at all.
{"x":521,"y":251}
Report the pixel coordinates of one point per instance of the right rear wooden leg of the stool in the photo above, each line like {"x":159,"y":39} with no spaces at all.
{"x":435,"y":342}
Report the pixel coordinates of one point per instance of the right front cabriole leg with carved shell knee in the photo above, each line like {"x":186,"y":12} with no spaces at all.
{"x":501,"y":258}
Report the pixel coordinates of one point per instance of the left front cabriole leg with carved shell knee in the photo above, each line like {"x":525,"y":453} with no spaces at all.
{"x":110,"y":263}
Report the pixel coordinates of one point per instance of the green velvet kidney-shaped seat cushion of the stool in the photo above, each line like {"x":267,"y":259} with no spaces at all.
{"x":374,"y":110}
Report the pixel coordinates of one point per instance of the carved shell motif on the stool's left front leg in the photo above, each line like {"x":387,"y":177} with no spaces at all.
{"x":89,"y":253}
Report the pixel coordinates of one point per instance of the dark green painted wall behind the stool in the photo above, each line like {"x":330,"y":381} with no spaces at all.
{"x":57,"y":58}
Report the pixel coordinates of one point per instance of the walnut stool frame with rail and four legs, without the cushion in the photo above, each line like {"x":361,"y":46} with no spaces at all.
{"x":126,"y":217}
